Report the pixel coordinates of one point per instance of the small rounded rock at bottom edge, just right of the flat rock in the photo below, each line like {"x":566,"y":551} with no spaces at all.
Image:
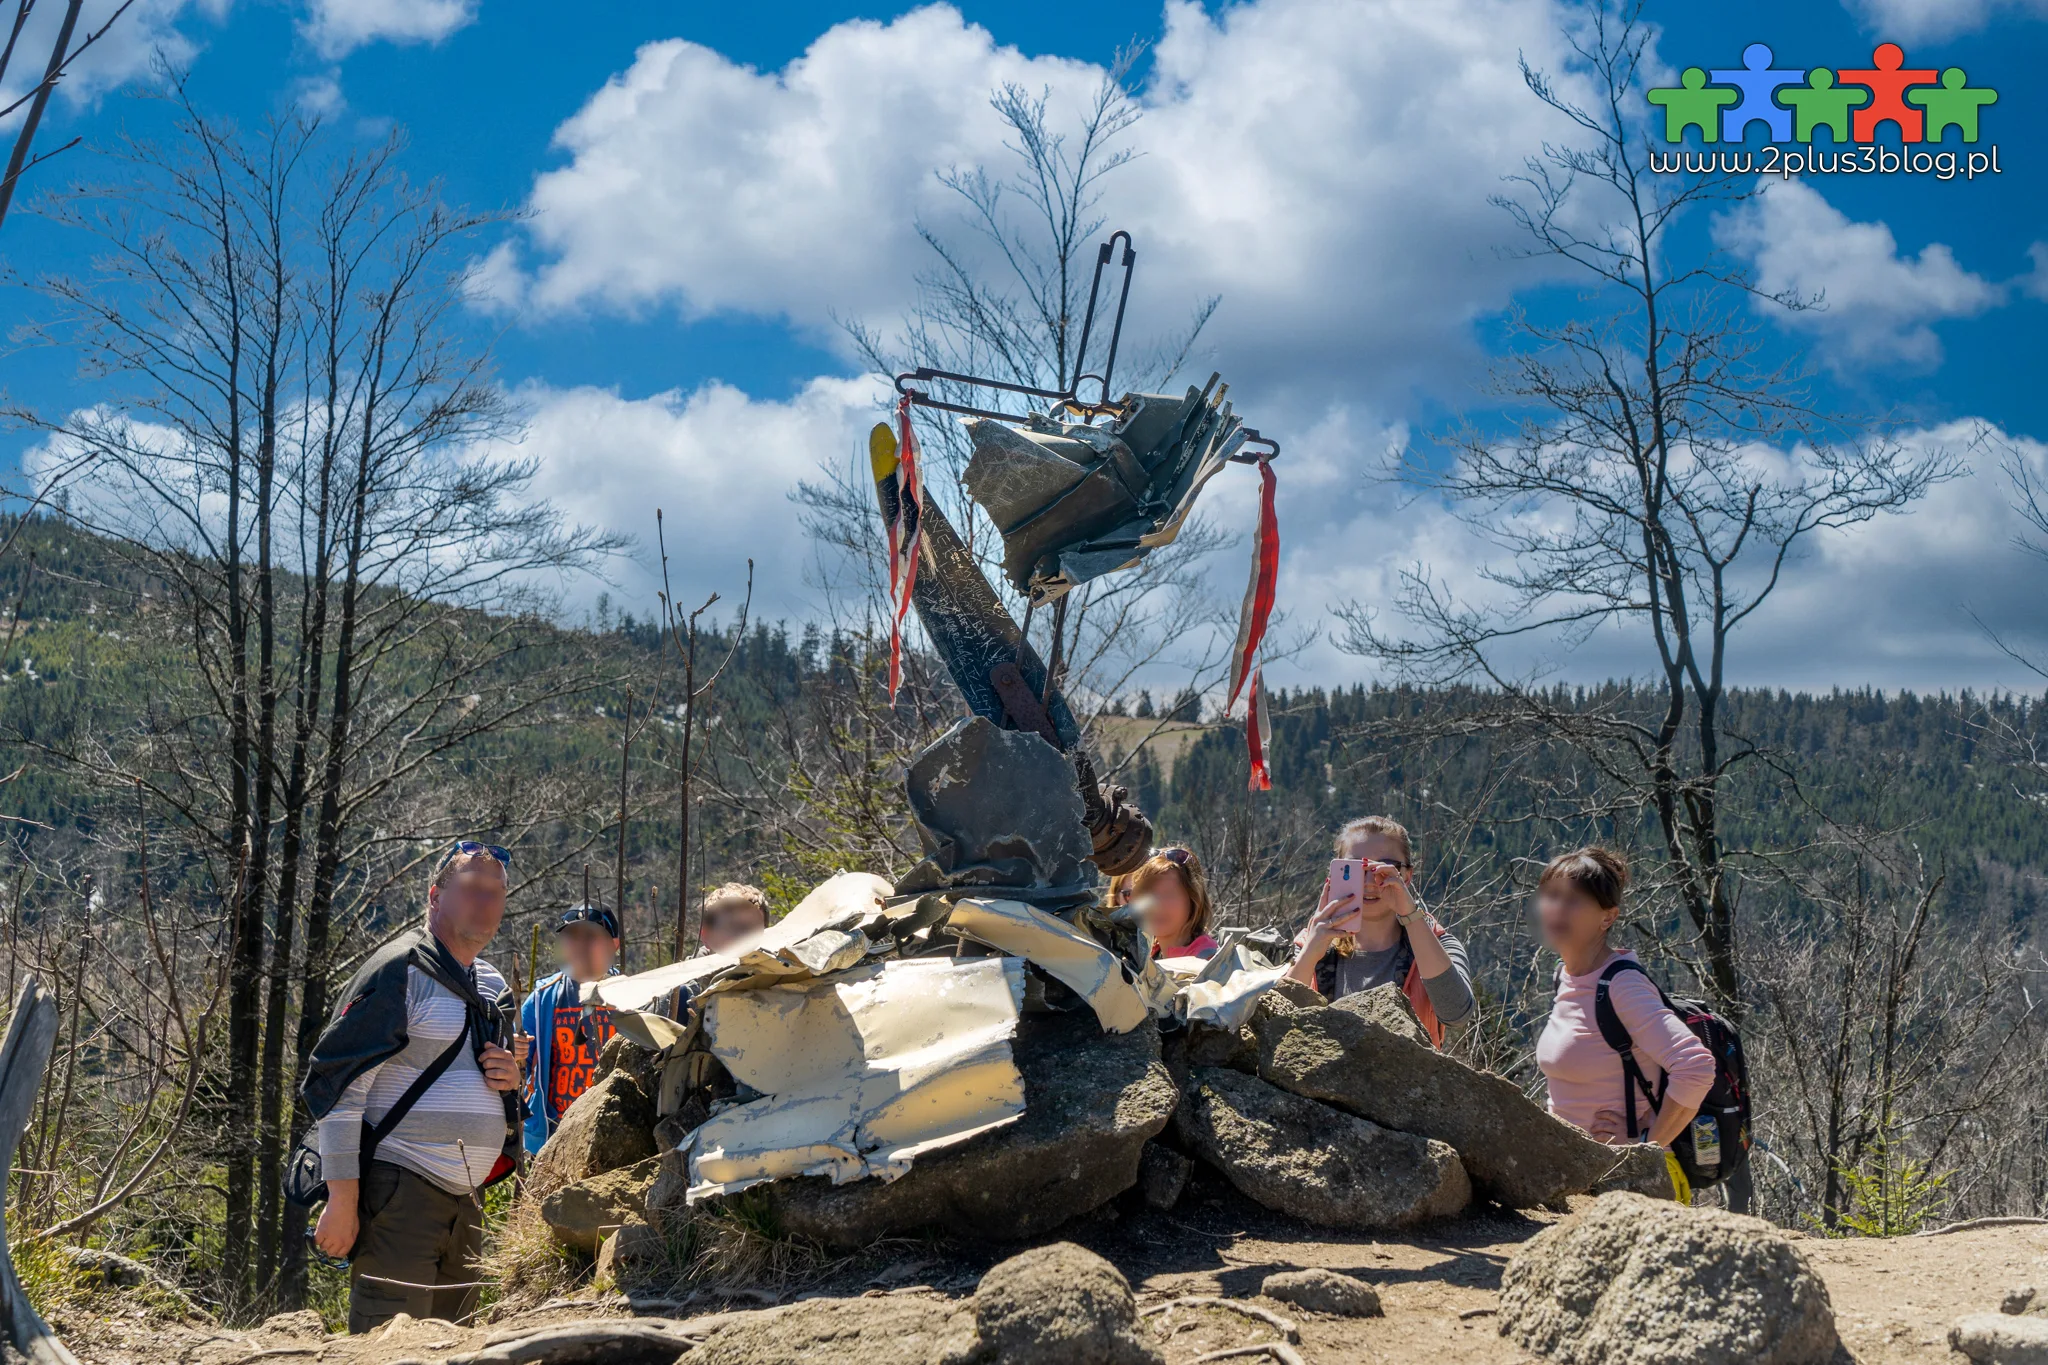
{"x":1058,"y":1307}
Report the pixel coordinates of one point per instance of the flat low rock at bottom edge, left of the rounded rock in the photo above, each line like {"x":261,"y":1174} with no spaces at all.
{"x":882,"y":1331}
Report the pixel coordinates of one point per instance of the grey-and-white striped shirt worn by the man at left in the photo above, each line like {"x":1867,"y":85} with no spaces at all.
{"x":456,"y":1133}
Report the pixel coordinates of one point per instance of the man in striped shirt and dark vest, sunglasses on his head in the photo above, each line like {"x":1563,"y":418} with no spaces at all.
{"x":415,"y":1094}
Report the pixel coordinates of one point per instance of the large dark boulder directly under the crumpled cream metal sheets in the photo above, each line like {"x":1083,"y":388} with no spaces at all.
{"x":1091,"y":1102}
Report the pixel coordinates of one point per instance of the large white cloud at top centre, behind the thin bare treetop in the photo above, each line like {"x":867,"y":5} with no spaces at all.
{"x":1320,"y":165}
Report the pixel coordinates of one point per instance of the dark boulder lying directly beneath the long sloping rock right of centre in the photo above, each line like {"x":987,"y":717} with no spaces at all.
{"x":1318,"y":1163}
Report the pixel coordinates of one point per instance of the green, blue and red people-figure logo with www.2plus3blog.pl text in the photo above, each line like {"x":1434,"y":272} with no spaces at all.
{"x":1852,"y":103}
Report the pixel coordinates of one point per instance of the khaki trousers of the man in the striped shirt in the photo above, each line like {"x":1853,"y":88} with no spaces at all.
{"x":419,"y":1235}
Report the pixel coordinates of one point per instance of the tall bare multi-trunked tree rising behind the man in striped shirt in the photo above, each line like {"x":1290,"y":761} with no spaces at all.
{"x":302,"y":451}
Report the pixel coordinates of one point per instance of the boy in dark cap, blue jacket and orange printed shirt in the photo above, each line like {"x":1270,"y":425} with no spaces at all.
{"x":568,"y":1037}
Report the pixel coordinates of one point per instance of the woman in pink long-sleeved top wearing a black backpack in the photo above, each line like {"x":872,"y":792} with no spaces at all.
{"x":1578,"y":901}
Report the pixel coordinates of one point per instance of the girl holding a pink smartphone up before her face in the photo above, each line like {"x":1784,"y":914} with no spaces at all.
{"x":1369,"y":930}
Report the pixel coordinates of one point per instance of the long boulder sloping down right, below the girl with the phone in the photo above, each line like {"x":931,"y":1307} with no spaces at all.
{"x":1514,"y":1149}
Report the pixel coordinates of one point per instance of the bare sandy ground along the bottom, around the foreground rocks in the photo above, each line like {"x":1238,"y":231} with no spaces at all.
{"x":1893,"y":1301}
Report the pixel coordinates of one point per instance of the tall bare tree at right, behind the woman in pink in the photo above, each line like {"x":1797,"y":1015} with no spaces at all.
{"x":1660,"y":484}
